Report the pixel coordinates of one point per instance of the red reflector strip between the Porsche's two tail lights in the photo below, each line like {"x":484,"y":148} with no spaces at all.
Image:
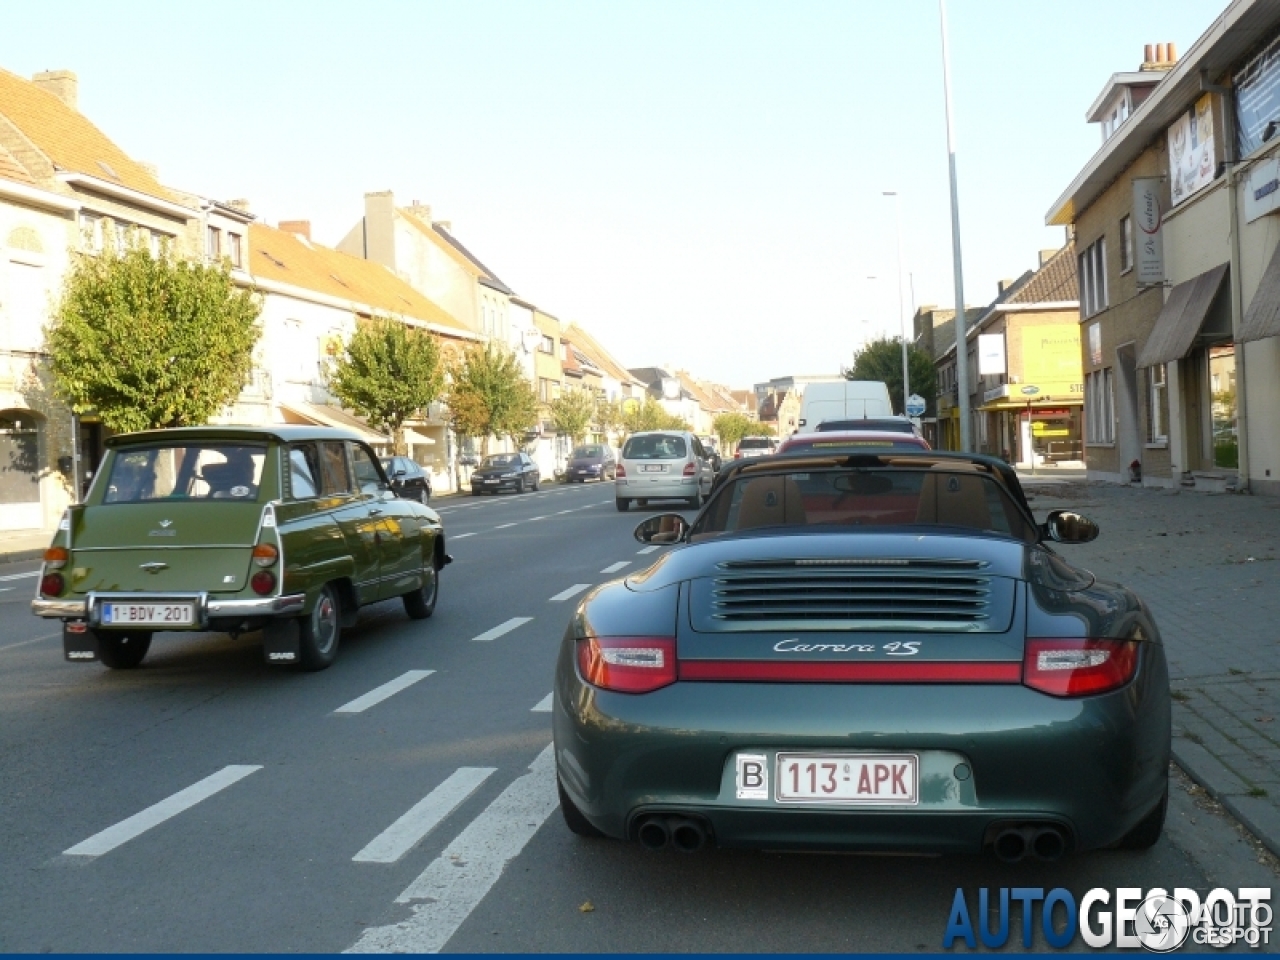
{"x":863,"y":673}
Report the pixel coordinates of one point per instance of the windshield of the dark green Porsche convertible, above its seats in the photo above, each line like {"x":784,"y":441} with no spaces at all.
{"x":847,"y":500}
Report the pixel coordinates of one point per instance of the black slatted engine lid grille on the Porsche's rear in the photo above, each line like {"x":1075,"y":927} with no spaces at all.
{"x":853,"y":595}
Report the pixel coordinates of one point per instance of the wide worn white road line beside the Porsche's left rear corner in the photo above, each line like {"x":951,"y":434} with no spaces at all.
{"x":454,"y":885}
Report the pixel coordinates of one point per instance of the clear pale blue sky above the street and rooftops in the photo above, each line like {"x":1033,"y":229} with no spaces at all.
{"x":698,"y":184}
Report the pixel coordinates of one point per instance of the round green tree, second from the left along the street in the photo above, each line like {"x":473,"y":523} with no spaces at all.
{"x":388,"y":374}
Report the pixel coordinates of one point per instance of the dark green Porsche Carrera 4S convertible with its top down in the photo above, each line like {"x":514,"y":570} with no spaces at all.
{"x":877,"y":652}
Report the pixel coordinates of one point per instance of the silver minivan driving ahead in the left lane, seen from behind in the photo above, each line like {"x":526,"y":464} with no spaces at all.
{"x":662,"y":465}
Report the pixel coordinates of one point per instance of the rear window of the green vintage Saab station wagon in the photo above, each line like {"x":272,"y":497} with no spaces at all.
{"x":199,"y":472}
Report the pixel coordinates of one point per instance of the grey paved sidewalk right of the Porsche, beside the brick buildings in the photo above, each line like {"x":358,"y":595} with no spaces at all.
{"x":1209,"y":565}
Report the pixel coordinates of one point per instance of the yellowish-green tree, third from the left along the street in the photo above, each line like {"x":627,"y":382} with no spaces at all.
{"x":491,"y":397}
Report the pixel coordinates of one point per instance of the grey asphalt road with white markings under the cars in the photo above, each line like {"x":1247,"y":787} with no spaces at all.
{"x":212,"y":803}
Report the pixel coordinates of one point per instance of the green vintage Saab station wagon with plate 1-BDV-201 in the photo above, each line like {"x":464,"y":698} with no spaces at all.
{"x":285,"y":529}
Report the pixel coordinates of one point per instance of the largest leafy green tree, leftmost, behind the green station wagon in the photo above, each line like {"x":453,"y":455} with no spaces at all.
{"x":152,"y":341}
